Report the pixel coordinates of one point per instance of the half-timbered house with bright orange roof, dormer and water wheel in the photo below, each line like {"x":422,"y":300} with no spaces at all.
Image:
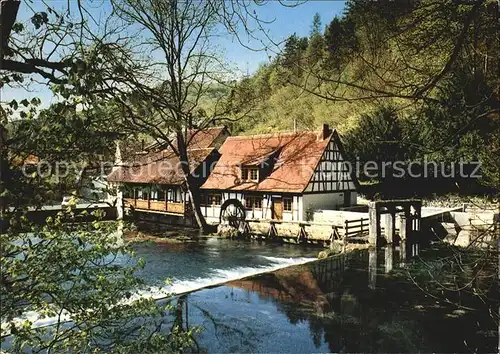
{"x":283,"y":176}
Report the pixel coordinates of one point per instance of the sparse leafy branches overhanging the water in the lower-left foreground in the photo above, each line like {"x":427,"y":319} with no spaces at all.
{"x":72,"y":275}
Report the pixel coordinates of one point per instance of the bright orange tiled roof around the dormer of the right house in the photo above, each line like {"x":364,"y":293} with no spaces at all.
{"x":296,"y":156}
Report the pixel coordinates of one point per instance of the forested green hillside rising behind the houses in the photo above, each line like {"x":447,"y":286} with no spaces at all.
{"x":400,"y":80}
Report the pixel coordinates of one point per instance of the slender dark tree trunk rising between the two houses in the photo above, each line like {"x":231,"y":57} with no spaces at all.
{"x":191,"y":185}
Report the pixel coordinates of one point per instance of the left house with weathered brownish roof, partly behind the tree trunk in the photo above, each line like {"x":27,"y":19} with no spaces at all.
{"x":152,"y":180}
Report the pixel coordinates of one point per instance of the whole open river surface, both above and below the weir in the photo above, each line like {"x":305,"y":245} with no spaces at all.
{"x":359,"y":302}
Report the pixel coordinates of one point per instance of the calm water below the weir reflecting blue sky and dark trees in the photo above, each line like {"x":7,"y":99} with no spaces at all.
{"x":347,"y":303}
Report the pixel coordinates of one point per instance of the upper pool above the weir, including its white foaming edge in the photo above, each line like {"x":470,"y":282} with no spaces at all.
{"x":211,"y":261}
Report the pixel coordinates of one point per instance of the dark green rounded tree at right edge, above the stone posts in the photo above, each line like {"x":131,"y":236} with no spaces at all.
{"x":459,"y":128}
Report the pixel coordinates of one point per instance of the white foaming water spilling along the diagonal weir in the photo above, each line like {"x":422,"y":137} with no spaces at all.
{"x":180,"y":286}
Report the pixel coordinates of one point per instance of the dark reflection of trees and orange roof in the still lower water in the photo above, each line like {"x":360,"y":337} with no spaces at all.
{"x":384,"y":314}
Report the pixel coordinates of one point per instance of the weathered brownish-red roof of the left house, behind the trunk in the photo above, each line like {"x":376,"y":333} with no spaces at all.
{"x":163,"y":166}
